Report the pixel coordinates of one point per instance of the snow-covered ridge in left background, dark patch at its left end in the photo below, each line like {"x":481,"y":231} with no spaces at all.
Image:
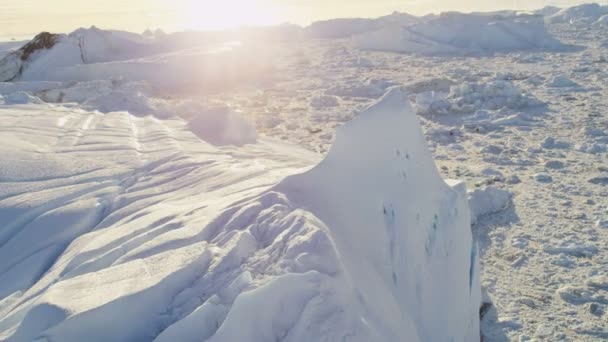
{"x":94,"y":54}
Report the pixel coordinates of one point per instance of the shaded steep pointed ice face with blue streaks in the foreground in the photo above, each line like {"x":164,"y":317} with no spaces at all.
{"x":391,"y":222}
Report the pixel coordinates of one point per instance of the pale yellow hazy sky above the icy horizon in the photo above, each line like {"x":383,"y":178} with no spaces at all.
{"x":25,"y":18}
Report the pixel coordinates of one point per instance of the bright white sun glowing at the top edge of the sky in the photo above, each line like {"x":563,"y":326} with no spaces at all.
{"x":225,"y":14}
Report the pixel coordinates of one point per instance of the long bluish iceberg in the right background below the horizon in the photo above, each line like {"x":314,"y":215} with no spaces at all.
{"x":462,"y":34}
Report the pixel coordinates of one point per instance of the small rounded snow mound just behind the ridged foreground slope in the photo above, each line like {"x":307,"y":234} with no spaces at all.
{"x":222,"y":126}
